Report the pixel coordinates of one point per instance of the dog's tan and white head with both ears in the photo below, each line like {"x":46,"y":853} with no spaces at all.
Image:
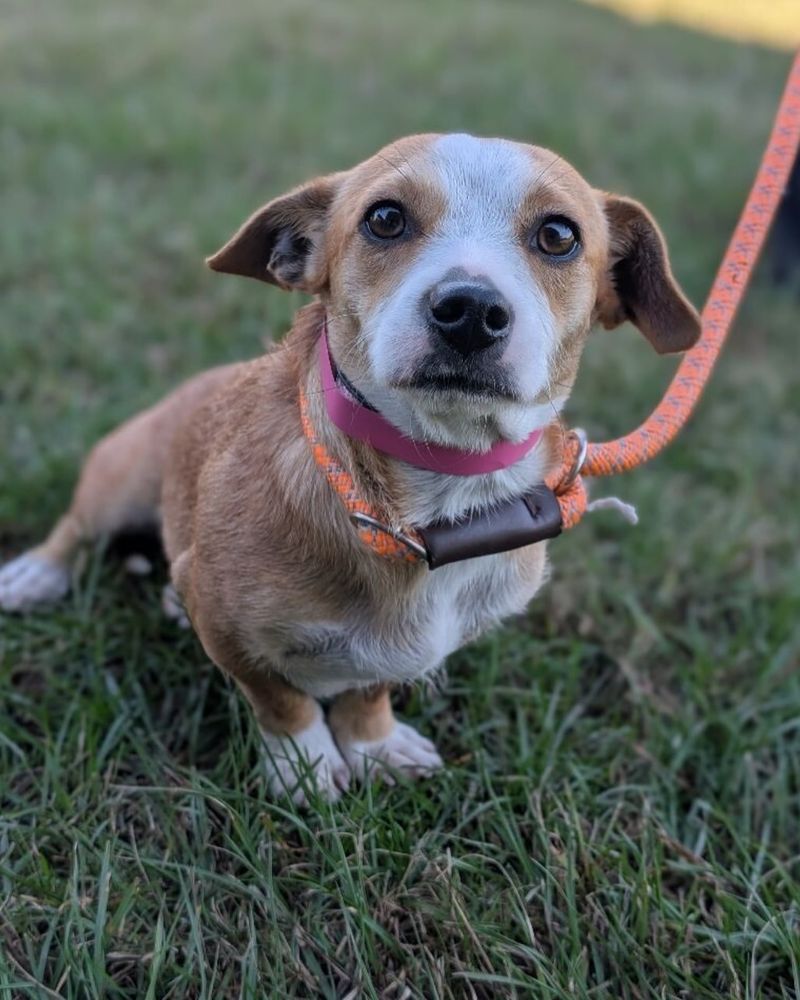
{"x":461,"y":276}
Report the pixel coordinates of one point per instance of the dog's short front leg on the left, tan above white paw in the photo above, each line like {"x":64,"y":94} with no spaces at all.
{"x":299,"y":749}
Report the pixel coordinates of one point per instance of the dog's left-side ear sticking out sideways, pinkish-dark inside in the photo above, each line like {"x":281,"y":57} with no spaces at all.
{"x":282,"y":242}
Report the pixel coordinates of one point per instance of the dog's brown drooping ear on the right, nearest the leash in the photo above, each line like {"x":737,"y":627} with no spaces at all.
{"x":639,"y":285}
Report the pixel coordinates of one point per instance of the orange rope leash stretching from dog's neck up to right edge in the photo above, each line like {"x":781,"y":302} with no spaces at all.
{"x":732,"y":279}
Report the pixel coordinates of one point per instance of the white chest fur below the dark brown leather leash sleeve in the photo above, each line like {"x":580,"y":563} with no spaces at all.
{"x":405,"y":639}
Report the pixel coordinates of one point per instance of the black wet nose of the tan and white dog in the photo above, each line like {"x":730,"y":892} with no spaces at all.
{"x":470,"y":317}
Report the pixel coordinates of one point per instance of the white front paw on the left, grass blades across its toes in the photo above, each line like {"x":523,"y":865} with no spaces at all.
{"x":307,"y":761}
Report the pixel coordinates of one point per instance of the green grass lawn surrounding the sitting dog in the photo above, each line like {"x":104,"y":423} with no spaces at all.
{"x":619,"y":817}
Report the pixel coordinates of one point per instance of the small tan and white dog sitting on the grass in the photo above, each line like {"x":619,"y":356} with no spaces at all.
{"x":457,"y":280}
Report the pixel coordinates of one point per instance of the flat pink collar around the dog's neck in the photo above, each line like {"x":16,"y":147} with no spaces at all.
{"x":364,"y":424}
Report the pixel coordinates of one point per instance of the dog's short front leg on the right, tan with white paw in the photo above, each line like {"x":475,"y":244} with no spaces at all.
{"x":374,"y":743}
